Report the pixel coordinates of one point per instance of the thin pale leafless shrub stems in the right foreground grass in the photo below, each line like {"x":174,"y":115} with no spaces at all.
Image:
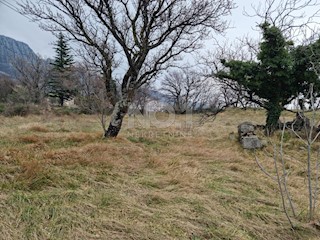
{"x":307,"y":135}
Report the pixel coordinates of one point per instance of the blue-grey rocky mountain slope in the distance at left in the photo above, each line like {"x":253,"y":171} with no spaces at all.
{"x":11,"y":49}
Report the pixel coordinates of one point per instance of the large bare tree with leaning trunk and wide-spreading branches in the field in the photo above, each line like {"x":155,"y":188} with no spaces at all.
{"x":148,"y":35}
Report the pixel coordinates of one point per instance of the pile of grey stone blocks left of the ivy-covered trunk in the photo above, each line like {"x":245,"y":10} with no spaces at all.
{"x":247,"y":136}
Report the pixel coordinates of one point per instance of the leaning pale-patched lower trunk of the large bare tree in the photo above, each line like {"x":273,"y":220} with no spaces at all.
{"x":119,"y":111}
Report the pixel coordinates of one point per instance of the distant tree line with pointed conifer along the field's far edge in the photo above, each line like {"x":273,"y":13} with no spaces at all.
{"x":38,"y":81}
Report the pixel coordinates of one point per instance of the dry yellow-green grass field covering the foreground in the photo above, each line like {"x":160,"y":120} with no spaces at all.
{"x":60,"y":180}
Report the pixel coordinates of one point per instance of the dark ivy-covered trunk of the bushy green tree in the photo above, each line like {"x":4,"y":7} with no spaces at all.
{"x":273,"y":114}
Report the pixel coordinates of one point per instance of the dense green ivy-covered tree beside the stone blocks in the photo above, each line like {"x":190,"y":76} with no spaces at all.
{"x":279,"y":74}
